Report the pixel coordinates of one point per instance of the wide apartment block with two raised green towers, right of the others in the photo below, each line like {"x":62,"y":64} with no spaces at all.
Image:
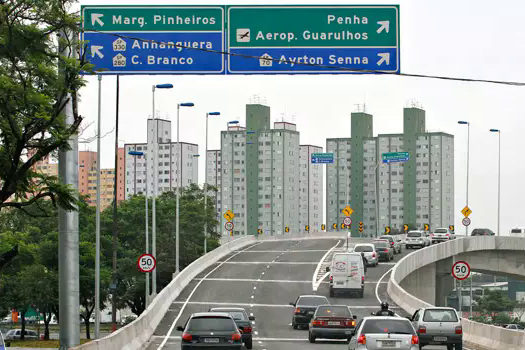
{"x":416,"y":192}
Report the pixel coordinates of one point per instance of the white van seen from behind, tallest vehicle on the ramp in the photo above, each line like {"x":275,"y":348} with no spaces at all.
{"x":347,"y":273}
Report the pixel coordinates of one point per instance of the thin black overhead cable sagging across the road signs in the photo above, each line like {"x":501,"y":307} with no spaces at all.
{"x":411,"y":75}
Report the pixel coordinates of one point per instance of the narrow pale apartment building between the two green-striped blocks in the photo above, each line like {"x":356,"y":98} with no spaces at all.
{"x":310,"y":189}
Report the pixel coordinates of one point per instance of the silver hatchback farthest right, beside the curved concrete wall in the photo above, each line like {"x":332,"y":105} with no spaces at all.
{"x":438,"y":326}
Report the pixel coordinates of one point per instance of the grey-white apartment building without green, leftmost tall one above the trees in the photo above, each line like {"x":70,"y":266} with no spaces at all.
{"x":140,"y":169}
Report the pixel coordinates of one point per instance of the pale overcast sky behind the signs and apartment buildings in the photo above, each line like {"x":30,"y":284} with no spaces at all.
{"x":468,"y":39}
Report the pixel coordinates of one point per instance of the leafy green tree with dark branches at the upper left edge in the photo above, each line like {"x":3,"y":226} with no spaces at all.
{"x":33,"y":92}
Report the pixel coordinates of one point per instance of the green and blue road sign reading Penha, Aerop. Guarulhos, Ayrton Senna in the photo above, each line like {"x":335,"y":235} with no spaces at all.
{"x":313,"y":39}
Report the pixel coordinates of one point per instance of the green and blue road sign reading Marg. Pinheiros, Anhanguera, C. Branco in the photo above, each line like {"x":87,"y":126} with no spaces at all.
{"x":154,"y":39}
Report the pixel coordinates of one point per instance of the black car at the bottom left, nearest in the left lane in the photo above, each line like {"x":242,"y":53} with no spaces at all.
{"x":210,"y":330}
